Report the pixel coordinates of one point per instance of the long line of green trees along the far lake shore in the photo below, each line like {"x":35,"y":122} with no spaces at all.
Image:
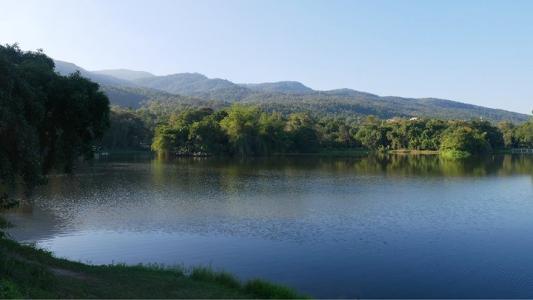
{"x":250,"y":131}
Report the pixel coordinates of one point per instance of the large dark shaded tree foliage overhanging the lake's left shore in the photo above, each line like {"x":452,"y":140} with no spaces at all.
{"x":46,"y":120}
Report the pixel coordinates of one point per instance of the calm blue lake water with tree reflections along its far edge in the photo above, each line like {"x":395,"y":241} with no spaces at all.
{"x":385,"y":227}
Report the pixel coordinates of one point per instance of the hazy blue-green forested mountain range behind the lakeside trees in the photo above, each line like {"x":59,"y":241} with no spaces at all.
{"x":137,"y":88}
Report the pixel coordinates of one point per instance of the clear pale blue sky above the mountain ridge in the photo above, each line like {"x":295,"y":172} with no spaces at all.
{"x":476,"y":51}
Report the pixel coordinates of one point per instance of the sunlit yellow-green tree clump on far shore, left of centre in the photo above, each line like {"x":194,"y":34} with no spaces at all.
{"x":240,"y":130}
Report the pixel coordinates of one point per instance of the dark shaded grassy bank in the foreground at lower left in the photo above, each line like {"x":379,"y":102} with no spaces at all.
{"x":28,"y":272}
